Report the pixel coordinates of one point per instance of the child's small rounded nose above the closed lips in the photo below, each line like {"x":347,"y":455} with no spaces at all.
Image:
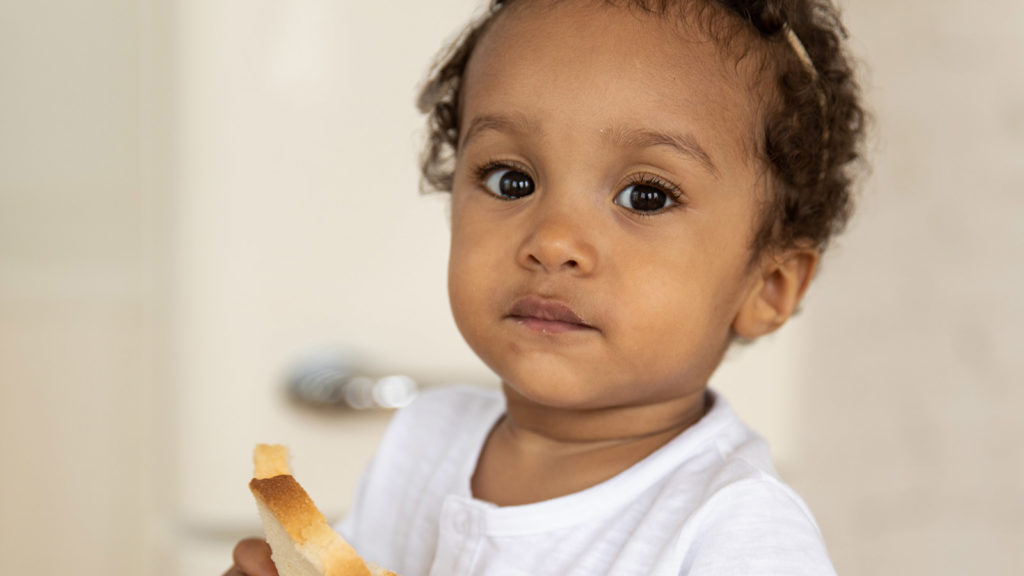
{"x":559,"y":242}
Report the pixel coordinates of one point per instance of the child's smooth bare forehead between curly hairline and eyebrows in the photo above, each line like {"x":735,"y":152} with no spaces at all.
{"x":591,"y":65}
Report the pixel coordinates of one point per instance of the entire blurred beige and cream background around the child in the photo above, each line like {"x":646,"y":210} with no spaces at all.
{"x":199,"y":198}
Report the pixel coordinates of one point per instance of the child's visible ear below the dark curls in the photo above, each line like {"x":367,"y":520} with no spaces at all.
{"x":782,"y":279}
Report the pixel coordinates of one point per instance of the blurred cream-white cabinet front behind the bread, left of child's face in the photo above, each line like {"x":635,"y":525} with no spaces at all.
{"x":295,"y":227}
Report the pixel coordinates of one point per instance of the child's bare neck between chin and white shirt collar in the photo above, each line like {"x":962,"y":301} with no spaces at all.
{"x":538,"y":454}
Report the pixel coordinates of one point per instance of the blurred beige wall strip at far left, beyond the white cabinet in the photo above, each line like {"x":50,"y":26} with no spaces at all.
{"x":75,"y":291}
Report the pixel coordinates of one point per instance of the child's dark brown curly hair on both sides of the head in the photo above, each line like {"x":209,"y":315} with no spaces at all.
{"x":813,"y":128}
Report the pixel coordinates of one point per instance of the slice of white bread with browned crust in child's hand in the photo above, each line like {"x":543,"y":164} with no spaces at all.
{"x":302,"y":542}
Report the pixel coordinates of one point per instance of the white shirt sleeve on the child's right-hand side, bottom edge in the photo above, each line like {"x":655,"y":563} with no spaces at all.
{"x":753,"y":528}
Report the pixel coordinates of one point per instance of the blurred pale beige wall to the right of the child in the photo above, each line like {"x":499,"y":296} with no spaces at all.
{"x":912,"y":379}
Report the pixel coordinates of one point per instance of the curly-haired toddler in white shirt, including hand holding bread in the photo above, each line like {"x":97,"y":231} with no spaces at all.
{"x":635,"y":185}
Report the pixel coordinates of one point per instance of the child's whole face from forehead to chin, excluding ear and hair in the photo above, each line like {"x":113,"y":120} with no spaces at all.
{"x":580,"y":124}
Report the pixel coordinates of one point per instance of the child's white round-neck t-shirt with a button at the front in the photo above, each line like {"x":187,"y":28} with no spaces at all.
{"x":709,"y":503}
